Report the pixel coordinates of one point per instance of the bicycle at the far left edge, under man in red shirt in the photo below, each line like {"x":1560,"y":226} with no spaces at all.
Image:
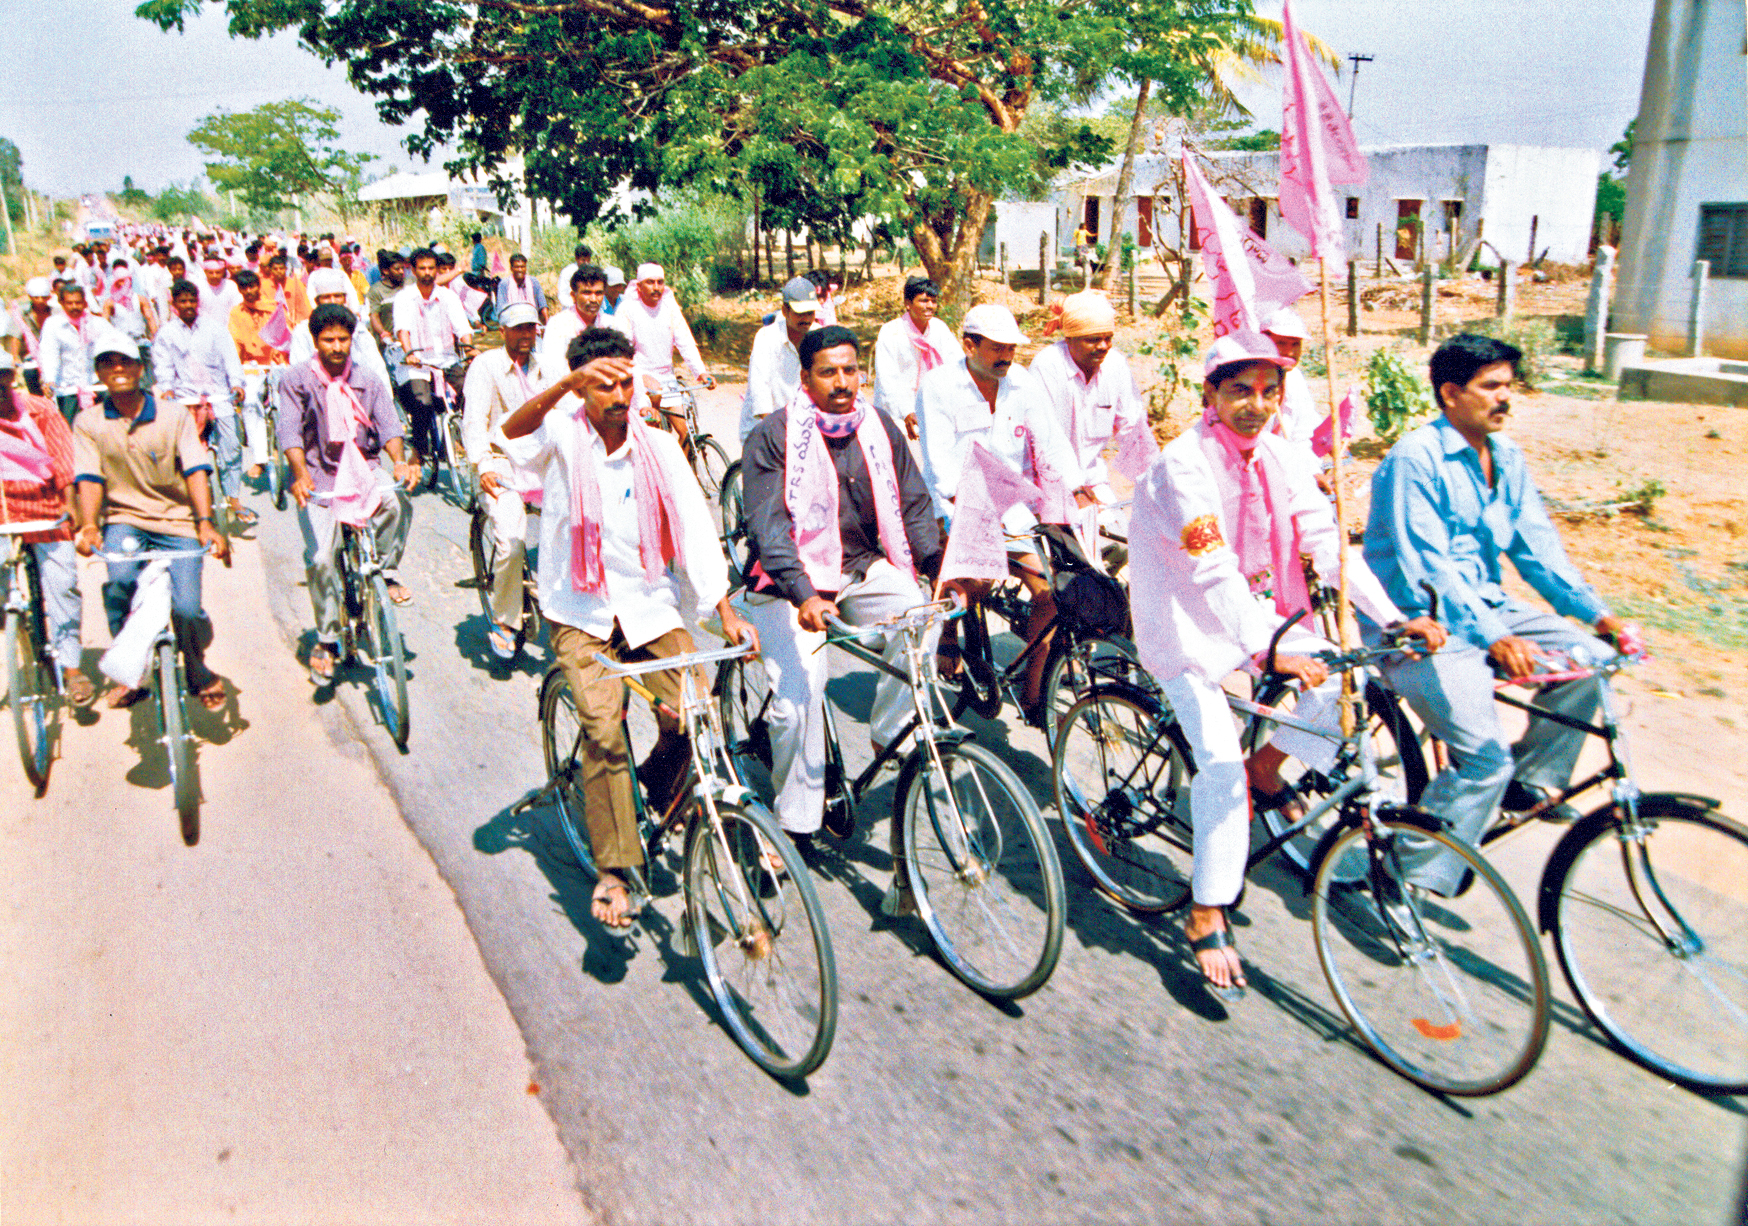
{"x":32,"y":674}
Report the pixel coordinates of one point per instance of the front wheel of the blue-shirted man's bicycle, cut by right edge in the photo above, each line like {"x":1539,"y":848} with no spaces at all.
{"x":1651,"y":926}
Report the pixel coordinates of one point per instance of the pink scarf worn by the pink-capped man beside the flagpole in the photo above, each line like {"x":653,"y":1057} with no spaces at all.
{"x":1258,"y":515}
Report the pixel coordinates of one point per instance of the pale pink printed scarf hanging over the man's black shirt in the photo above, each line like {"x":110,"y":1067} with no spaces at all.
{"x":810,"y":491}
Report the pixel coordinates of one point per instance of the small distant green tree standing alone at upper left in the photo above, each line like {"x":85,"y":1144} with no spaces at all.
{"x":279,"y":153}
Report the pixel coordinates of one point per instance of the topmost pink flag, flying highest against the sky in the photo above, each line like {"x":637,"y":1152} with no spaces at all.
{"x":1317,"y":150}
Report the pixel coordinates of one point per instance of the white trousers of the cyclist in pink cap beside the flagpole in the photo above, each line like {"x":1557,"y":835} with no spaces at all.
{"x":1221,"y":790}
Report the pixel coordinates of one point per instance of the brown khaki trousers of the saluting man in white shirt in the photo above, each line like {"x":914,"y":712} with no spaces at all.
{"x":609,"y":809}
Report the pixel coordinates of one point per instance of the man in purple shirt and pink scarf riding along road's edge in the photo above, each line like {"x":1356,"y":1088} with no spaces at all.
{"x":335,"y":421}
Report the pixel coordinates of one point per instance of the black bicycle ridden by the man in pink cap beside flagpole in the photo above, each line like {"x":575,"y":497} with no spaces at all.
{"x":1453,"y":994}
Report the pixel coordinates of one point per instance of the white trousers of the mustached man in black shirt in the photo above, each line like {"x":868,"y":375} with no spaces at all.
{"x":796,"y":667}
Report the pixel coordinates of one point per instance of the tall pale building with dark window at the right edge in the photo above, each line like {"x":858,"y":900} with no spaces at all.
{"x":1688,"y":188}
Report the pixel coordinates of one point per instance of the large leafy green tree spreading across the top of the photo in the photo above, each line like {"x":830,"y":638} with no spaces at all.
{"x":908,"y":113}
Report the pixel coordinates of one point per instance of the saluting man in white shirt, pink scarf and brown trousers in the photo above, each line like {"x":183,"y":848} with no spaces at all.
{"x":623,"y":526}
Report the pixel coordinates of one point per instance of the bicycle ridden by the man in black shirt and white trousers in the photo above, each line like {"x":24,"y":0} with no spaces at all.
{"x":968,"y":839}
